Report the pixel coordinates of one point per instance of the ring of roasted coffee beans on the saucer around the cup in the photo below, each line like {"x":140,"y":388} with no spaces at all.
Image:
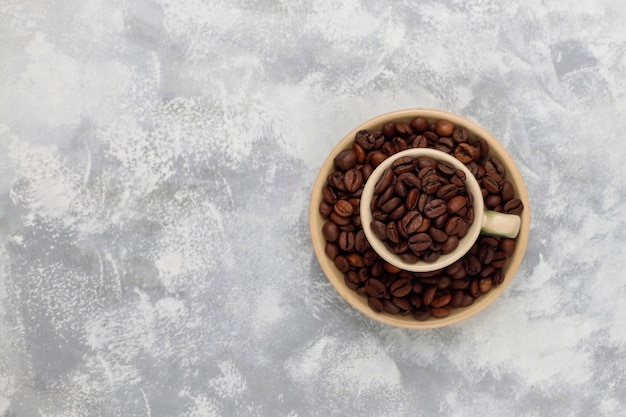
{"x":388,"y":288}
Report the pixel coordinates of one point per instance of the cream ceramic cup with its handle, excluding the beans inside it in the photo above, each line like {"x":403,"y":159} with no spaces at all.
{"x":485,"y":221}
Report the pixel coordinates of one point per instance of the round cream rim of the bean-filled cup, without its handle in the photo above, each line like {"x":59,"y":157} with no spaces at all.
{"x":465,"y":243}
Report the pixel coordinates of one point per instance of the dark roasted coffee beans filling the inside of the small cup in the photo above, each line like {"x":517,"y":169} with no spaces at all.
{"x":421,"y":208}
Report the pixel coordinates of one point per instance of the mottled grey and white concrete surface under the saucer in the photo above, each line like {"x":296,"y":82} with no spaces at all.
{"x":156,"y":159}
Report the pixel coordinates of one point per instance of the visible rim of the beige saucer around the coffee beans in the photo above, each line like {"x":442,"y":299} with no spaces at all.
{"x":336,"y":278}
